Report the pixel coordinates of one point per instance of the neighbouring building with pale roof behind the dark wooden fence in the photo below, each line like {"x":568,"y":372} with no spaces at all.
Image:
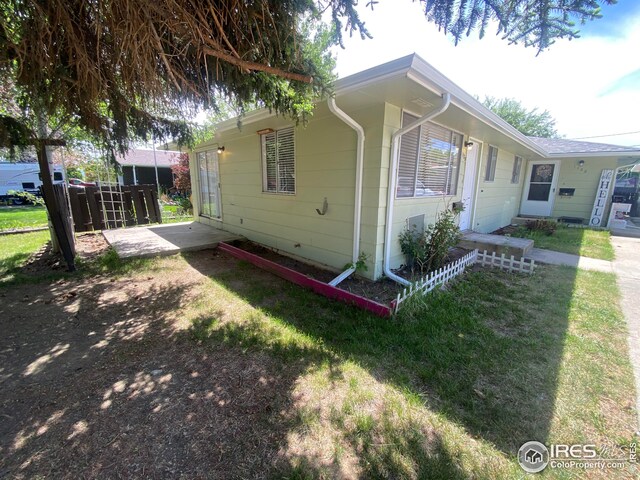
{"x":139,"y":167}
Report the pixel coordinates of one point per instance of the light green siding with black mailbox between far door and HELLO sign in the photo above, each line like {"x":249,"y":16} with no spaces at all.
{"x":585,"y":180}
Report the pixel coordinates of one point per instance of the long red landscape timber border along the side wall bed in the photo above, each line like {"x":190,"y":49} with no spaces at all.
{"x":298,"y":278}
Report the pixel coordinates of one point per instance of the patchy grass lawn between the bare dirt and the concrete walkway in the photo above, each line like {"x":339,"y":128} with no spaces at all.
{"x":452,"y":387}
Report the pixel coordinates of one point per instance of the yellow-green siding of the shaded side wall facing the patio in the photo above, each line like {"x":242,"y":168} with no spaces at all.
{"x":325,"y":167}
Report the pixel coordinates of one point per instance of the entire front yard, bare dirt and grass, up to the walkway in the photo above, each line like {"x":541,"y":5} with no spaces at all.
{"x":204,"y":366}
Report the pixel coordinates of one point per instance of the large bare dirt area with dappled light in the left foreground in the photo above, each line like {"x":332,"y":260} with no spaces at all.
{"x":100,"y":378}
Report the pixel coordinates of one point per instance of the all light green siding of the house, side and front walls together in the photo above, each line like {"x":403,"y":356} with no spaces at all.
{"x":325,"y":167}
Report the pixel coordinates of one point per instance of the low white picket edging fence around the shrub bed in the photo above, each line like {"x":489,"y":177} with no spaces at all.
{"x":452,"y":270}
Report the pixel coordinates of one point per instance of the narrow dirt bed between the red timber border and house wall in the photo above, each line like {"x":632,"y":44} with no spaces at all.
{"x":381,"y":291}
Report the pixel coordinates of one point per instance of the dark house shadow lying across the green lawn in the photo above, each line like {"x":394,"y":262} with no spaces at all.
{"x":485,"y":352}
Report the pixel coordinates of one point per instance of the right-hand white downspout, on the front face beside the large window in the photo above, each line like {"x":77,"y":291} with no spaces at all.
{"x":391,"y":191}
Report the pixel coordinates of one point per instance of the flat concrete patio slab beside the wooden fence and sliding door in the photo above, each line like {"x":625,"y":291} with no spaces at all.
{"x":165,"y":239}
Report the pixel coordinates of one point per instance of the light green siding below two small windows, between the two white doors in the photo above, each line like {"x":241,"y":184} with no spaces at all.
{"x":498,"y":201}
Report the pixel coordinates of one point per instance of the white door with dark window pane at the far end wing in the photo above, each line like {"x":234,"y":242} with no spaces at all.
{"x":540,"y":188}
